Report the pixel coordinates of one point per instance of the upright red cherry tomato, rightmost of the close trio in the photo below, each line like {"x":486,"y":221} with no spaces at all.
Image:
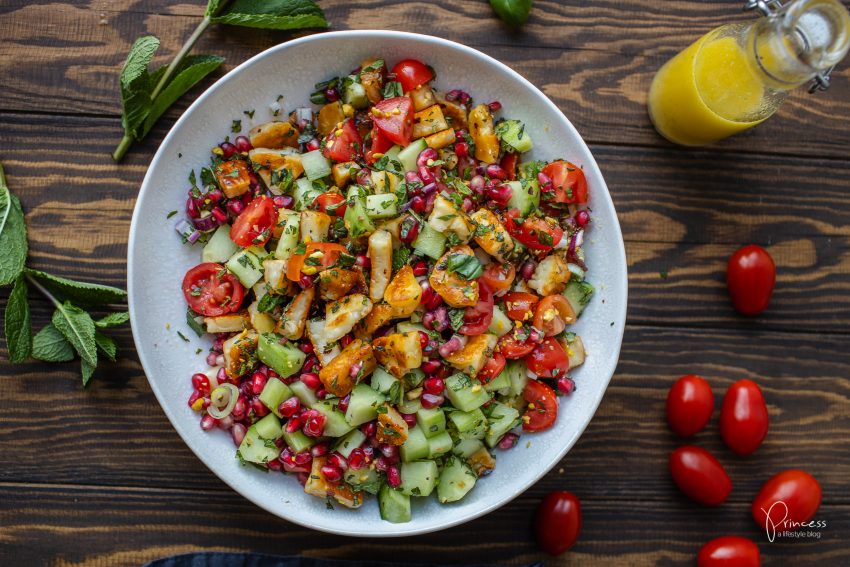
{"x":743,"y":417}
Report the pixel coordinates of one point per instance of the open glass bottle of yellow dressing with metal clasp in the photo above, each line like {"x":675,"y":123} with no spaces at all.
{"x":738,"y":75}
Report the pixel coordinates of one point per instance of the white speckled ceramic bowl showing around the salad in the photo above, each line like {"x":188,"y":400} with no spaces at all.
{"x":157,"y":262}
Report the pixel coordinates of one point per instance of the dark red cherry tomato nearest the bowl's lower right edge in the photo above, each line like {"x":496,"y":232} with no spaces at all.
{"x":558,"y":522}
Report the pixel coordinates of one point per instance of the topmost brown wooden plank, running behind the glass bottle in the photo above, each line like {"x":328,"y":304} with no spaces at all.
{"x":594,"y":59}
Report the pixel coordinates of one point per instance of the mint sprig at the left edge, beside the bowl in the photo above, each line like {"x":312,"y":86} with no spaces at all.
{"x":72,"y":330}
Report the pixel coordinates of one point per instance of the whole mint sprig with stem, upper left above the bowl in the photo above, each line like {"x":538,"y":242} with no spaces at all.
{"x":146,"y":95}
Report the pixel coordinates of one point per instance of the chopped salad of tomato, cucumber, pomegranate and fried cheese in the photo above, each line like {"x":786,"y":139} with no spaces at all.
{"x":390,"y":285}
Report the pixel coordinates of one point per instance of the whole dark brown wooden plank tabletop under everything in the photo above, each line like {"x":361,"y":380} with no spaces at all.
{"x":99,"y":477}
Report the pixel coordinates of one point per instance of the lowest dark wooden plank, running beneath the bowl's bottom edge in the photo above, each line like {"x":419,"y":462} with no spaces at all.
{"x":90,"y":526}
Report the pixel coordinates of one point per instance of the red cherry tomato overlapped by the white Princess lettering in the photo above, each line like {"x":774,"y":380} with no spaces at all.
{"x":790,"y":497}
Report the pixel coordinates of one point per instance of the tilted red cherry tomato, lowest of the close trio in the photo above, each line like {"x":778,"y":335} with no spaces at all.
{"x":699,"y":475}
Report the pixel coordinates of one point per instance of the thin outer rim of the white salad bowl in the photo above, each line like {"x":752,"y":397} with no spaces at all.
{"x":392,"y":530}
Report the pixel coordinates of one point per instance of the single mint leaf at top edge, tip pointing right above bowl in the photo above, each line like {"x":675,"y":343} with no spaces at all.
{"x":270,"y":14}
